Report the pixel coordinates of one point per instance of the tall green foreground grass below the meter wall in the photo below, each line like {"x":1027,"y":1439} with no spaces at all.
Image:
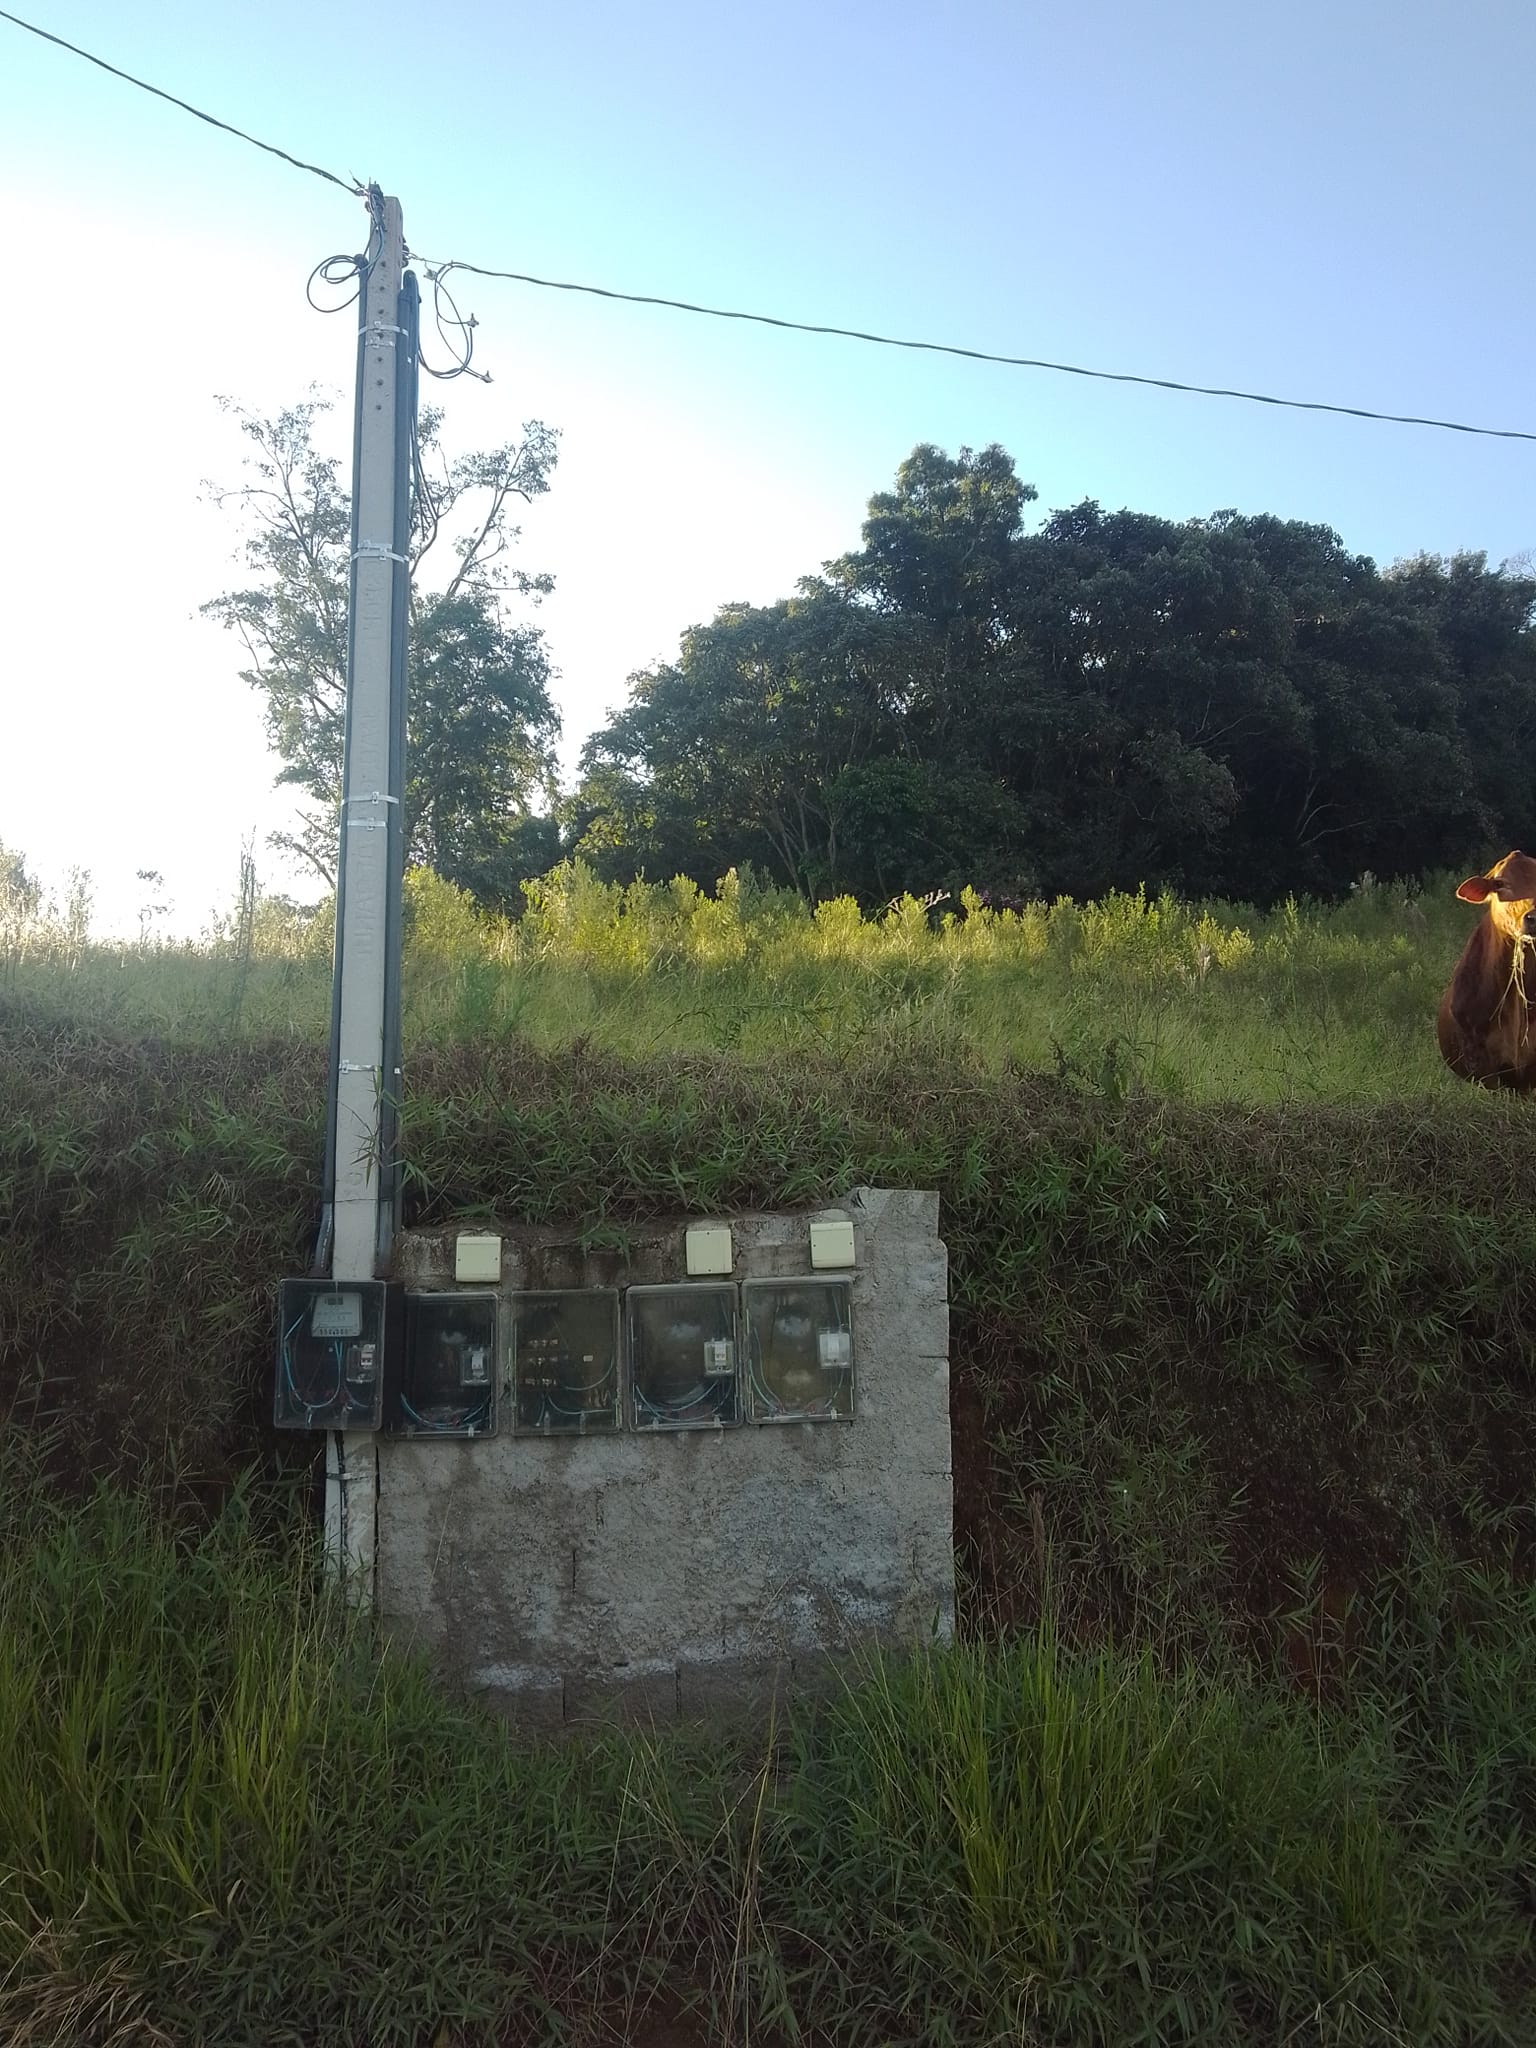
{"x":228,"y":1816}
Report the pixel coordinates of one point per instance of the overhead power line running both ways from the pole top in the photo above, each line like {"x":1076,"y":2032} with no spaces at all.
{"x":437,"y":273}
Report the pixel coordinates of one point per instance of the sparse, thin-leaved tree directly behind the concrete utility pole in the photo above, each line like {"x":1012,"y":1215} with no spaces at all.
{"x":482,"y":724}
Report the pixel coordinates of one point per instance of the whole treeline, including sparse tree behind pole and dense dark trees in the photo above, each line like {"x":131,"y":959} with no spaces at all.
{"x":1224,"y":708}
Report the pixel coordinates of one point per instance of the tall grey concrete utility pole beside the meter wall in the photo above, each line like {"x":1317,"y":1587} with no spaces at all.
{"x":368,"y":886}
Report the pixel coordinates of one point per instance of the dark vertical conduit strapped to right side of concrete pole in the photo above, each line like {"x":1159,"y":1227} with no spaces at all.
{"x":392,"y":1080}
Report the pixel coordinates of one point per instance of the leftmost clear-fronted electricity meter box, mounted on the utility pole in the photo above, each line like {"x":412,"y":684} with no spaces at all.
{"x":335,"y":1345}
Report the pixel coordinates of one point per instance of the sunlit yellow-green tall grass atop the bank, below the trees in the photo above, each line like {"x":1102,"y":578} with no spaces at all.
{"x":1211,"y":1002}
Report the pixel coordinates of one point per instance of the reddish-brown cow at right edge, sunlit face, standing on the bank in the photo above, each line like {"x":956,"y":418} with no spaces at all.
{"x":1486,"y":1025}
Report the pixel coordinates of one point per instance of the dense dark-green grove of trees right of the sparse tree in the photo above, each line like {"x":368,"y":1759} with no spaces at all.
{"x":1232,"y":708}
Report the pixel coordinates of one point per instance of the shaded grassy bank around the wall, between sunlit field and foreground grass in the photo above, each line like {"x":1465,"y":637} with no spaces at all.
{"x":1205,"y":1351}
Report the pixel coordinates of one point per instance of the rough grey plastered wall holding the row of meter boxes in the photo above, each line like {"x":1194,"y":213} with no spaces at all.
{"x":687,"y":1574}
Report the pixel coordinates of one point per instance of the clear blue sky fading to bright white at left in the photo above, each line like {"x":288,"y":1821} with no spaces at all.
{"x":1322,"y":202}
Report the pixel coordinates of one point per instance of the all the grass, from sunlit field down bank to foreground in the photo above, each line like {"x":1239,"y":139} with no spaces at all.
{"x":1240,"y":1742}
